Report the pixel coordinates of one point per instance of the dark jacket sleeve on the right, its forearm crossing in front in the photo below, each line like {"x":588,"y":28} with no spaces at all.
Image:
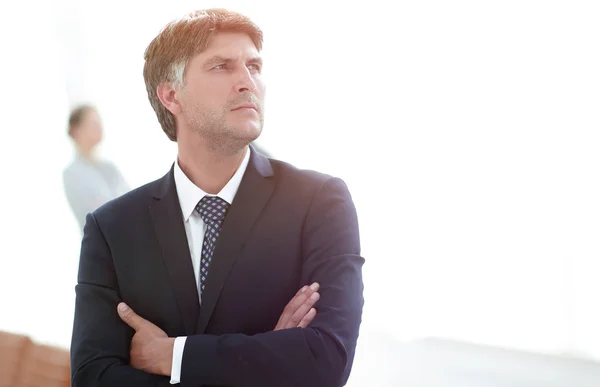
{"x":320,"y":355}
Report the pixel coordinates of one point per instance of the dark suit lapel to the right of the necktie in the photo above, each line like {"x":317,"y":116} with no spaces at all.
{"x":252,"y":196}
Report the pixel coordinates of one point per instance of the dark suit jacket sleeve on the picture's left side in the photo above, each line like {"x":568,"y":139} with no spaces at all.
{"x":101,"y":341}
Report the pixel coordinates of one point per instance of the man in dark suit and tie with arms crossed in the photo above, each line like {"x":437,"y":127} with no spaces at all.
{"x":194,"y":278}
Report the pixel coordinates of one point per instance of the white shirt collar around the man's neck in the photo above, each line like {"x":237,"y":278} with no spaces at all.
{"x":189,"y":194}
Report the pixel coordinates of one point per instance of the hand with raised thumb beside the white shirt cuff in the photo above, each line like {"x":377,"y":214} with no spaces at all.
{"x":151,"y":348}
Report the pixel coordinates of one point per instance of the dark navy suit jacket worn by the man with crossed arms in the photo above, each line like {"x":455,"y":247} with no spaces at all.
{"x":285,"y":228}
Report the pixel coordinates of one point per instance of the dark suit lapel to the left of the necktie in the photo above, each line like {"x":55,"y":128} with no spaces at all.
{"x":170,"y":232}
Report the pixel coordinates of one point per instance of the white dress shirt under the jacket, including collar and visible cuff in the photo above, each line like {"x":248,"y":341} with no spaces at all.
{"x":189,"y":195}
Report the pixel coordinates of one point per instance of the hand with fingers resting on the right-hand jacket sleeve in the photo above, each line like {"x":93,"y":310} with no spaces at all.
{"x":299,"y":312}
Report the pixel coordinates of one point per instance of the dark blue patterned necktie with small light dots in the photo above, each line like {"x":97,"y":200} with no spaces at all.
{"x":212,"y":210}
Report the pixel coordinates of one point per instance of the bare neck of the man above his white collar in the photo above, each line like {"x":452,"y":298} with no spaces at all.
{"x":207,"y":169}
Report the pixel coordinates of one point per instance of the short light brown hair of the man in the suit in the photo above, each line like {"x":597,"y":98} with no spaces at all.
{"x":168,"y":54}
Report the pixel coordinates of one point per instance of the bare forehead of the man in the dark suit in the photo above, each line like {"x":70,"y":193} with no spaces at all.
{"x":230,"y":44}
